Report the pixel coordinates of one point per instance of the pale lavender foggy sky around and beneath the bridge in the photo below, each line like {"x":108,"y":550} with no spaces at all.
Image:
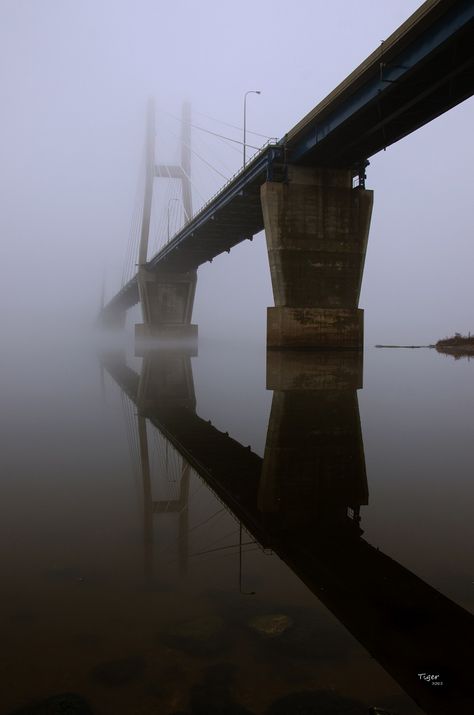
{"x":75,"y":79}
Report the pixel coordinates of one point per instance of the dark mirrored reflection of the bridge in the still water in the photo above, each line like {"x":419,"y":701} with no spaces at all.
{"x":303,"y":501}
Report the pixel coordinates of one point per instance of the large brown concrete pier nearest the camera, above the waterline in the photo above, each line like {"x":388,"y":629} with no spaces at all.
{"x":316,"y":227}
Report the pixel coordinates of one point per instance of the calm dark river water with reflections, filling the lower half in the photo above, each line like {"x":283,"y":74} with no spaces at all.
{"x":235,"y":532}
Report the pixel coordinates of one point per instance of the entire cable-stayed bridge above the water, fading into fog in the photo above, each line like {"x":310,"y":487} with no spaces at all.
{"x":307,"y":191}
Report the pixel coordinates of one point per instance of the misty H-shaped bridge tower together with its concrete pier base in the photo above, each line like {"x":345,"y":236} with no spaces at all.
{"x":166,"y":297}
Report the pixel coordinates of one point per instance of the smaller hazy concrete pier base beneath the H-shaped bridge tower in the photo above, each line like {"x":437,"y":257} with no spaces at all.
{"x":167,"y":304}
